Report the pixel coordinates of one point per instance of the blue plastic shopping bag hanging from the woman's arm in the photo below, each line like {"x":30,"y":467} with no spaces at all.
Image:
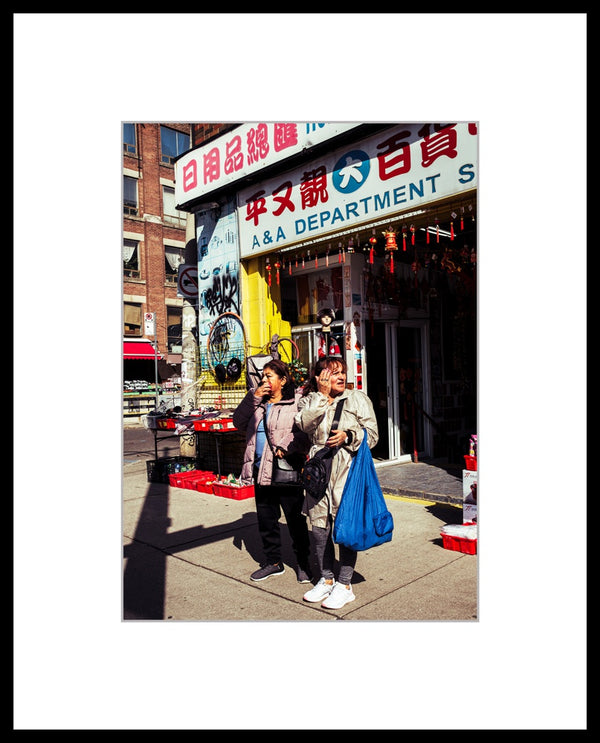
{"x":362,"y":520}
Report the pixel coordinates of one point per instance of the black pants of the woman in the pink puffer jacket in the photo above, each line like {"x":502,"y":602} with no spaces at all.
{"x":270,"y":501}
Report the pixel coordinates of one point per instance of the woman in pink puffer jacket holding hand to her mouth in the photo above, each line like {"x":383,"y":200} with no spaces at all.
{"x":274,"y":404}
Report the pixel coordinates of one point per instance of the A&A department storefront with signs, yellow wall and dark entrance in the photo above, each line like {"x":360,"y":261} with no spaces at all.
{"x":379,"y":232}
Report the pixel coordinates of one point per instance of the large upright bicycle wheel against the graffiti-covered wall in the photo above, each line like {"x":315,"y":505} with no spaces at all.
{"x":226,"y":347}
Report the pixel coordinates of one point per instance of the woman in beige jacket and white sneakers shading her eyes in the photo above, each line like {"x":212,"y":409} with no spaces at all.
{"x":324,"y":390}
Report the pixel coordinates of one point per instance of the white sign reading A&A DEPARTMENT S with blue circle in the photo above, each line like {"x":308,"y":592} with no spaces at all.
{"x":400,"y":169}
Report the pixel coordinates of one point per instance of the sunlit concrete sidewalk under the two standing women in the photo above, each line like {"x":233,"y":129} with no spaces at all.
{"x":188,"y":556}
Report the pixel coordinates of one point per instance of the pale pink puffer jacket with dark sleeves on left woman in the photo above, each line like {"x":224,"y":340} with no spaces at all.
{"x":281,"y":428}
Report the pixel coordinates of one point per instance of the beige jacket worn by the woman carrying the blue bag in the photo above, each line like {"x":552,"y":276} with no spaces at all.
{"x":315,"y":417}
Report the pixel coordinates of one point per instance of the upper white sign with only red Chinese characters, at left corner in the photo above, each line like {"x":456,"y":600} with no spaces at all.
{"x":245,"y":150}
